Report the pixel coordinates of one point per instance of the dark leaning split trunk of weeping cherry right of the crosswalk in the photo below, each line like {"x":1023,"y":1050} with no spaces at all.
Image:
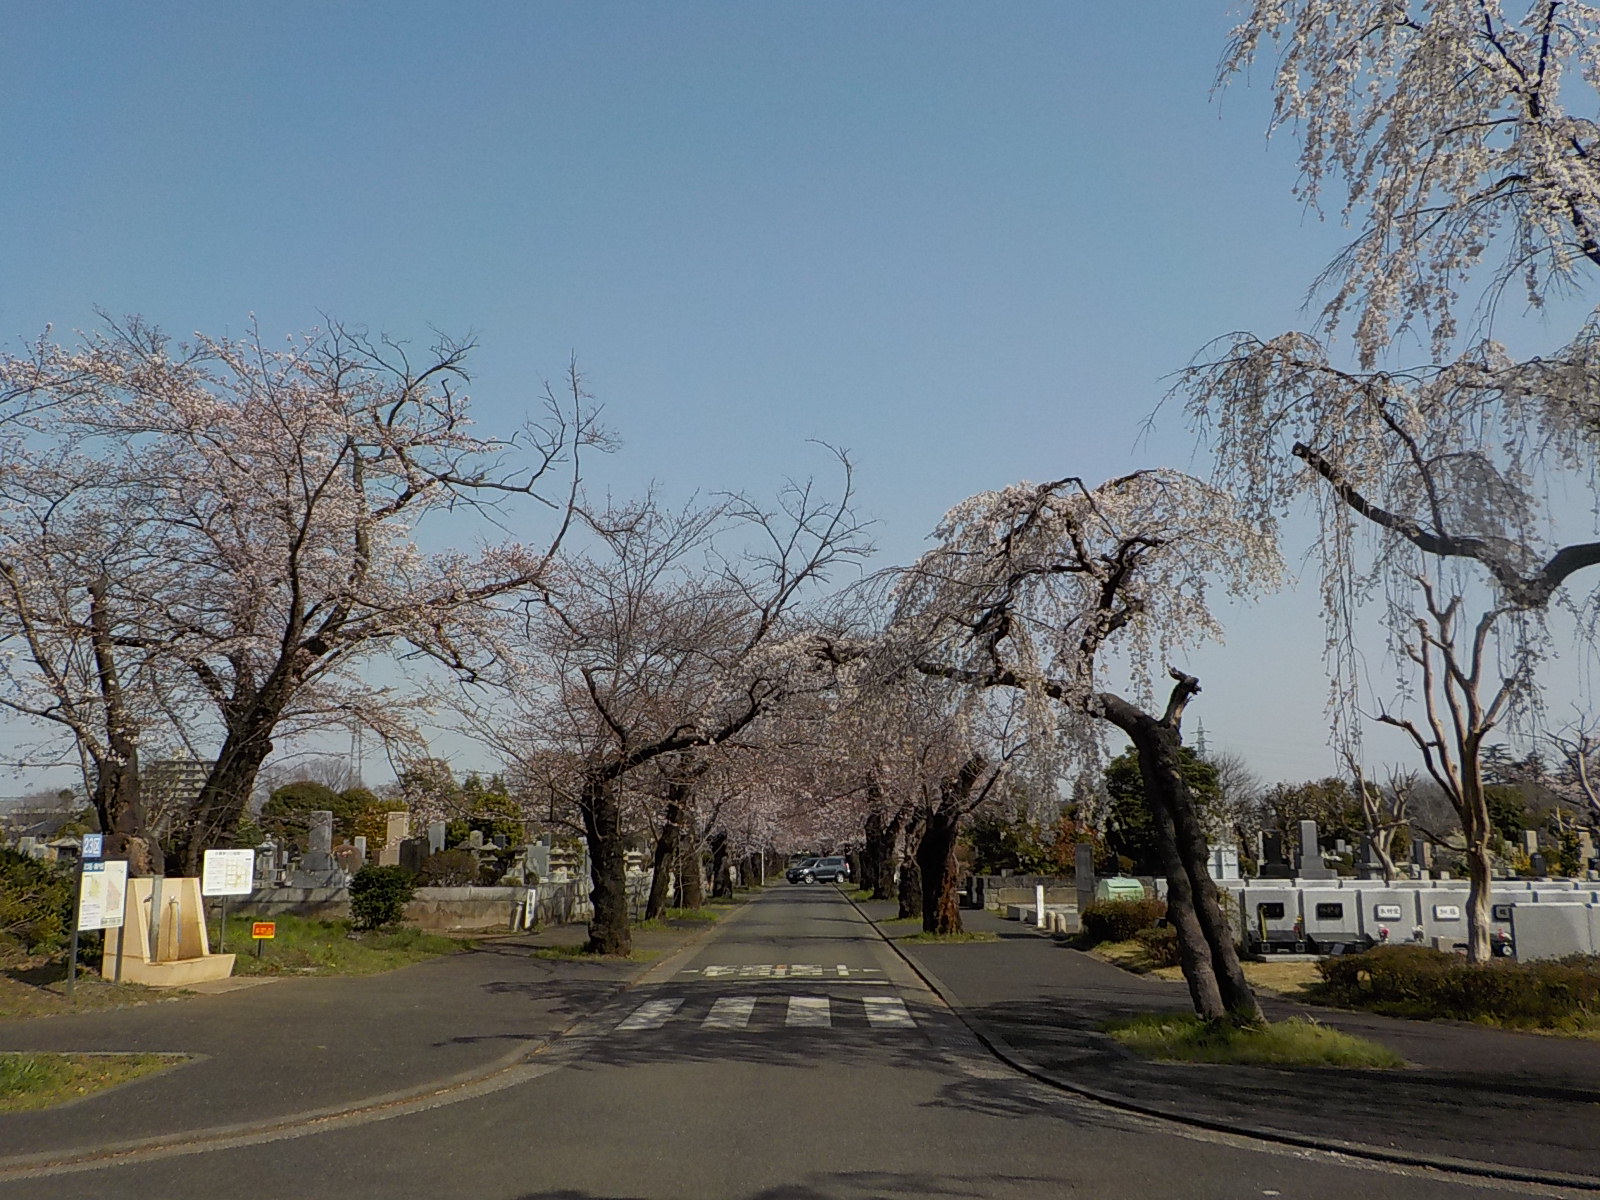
{"x":1206,"y":940}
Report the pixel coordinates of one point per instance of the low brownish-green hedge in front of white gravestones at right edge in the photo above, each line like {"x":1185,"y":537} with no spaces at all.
{"x":1423,"y":983}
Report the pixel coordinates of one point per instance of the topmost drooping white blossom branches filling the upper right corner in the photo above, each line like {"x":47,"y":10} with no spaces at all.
{"x":1458,"y":127}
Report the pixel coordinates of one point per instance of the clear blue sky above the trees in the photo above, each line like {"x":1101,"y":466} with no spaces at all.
{"x":967,"y":242}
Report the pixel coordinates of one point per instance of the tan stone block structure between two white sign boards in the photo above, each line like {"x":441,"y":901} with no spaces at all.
{"x":182,"y":953}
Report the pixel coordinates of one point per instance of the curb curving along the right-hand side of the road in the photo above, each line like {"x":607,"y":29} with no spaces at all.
{"x":1436,"y":1162}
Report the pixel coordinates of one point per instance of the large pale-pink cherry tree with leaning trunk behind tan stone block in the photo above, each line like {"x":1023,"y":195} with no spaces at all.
{"x":273,"y":498}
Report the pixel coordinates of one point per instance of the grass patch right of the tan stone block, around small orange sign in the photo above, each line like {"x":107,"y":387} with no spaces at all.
{"x":329,"y":948}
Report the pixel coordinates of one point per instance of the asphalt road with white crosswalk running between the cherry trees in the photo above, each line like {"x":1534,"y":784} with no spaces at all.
{"x":790,"y":1057}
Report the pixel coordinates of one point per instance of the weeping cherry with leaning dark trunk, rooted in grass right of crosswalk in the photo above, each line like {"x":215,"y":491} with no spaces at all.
{"x":1042,"y":588}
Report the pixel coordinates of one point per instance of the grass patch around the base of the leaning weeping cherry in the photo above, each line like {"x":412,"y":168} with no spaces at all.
{"x":1185,"y":1038}
